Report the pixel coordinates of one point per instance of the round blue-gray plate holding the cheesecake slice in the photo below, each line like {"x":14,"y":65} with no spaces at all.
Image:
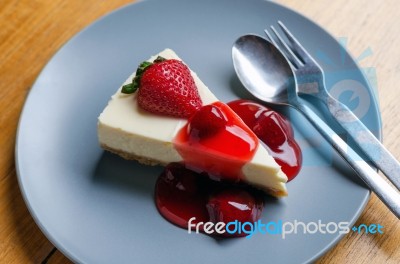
{"x":98,"y":208}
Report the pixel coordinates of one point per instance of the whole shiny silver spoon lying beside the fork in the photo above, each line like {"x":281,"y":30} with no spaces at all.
{"x":267,"y":75}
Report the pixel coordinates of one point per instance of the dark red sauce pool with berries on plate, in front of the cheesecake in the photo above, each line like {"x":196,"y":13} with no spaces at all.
{"x":182,"y":194}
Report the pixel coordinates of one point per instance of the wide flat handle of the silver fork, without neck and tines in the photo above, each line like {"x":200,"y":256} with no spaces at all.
{"x":367,"y":142}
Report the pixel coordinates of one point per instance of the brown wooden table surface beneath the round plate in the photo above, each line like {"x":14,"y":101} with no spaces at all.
{"x":31,"y":31}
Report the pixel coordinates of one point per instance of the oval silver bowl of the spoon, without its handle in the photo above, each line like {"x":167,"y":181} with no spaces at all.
{"x":258,"y":63}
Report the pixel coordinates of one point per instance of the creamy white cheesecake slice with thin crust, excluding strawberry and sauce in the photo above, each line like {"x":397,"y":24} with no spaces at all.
{"x":126,"y":129}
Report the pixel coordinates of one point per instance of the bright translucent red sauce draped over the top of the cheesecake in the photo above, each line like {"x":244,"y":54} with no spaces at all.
{"x":215,"y":140}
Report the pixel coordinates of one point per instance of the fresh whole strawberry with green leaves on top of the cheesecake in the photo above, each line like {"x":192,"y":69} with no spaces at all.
{"x":165,"y":87}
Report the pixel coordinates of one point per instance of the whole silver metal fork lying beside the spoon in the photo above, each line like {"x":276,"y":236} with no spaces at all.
{"x":311,"y":81}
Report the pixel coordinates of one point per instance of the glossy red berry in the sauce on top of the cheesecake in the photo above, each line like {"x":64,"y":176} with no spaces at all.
{"x":206,"y":122}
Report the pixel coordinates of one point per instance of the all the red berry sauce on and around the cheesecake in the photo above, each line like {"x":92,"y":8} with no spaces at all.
{"x":215,"y":144}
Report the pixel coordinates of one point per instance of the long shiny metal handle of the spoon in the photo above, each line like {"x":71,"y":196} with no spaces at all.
{"x":378,"y":185}
